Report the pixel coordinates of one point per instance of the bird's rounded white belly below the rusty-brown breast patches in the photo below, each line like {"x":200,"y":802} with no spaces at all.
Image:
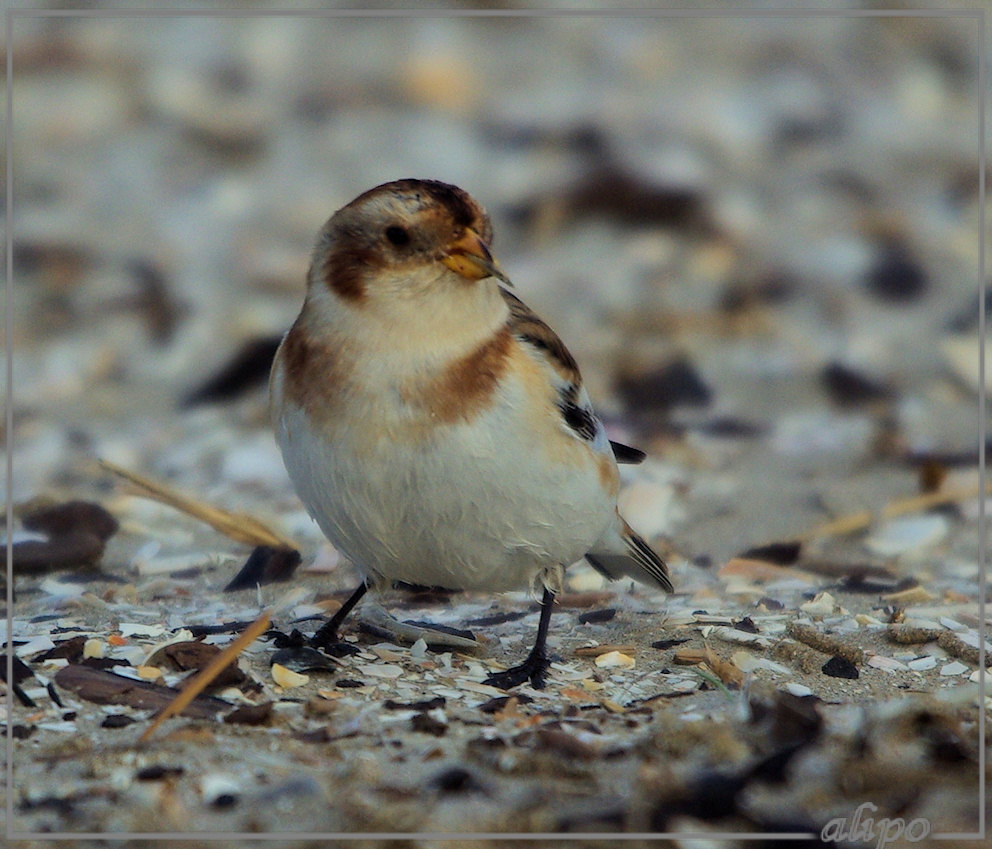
{"x":478,"y":505}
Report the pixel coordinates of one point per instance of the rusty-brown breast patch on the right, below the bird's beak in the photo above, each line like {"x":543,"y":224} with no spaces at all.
{"x":465,"y":387}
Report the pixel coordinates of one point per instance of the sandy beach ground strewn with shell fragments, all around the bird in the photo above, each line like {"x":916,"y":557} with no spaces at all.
{"x":760,"y":240}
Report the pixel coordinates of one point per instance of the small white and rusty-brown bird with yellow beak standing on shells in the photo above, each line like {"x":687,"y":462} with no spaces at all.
{"x":434,"y":427}
